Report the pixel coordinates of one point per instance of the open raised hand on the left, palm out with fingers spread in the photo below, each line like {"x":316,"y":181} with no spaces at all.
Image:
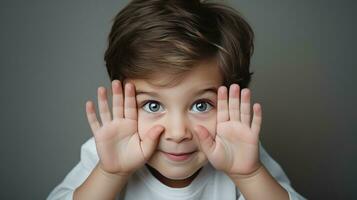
{"x":120,"y":149}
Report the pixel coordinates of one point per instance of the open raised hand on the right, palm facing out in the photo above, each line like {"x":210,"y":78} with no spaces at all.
{"x":234,"y":148}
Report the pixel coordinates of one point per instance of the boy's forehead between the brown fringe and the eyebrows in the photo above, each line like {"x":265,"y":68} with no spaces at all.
{"x":203,"y":75}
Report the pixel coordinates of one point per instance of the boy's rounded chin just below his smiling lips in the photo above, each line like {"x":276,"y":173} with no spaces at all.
{"x":177,"y":171}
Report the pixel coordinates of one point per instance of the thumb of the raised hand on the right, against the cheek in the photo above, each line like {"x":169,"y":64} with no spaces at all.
{"x":204,"y":139}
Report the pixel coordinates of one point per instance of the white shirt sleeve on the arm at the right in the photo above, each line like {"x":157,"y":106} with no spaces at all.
{"x":277,"y":172}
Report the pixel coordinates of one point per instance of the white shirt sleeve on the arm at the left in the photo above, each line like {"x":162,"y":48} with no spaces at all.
{"x":88,"y":160}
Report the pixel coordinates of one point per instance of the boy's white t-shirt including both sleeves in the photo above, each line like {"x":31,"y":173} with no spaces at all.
{"x":209,"y":184}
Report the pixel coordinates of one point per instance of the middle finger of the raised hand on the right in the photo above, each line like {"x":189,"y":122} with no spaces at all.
{"x":234,"y":91}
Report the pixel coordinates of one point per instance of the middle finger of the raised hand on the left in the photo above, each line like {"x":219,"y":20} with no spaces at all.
{"x":118,"y":104}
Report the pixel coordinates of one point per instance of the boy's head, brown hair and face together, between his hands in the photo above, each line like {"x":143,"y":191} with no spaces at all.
{"x":177,"y":53}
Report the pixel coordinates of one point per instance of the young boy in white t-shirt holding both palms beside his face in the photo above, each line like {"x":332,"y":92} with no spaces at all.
{"x":180,"y":126}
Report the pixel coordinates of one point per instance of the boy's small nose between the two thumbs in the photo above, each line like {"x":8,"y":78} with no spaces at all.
{"x":177,"y":129}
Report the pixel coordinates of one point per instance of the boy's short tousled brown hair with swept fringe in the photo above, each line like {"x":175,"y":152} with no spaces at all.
{"x":171,"y":36}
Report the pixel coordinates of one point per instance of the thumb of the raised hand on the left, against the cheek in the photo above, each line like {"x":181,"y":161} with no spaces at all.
{"x":149,"y":142}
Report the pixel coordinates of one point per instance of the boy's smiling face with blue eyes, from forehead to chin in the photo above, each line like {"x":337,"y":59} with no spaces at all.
{"x":179,"y":109}
